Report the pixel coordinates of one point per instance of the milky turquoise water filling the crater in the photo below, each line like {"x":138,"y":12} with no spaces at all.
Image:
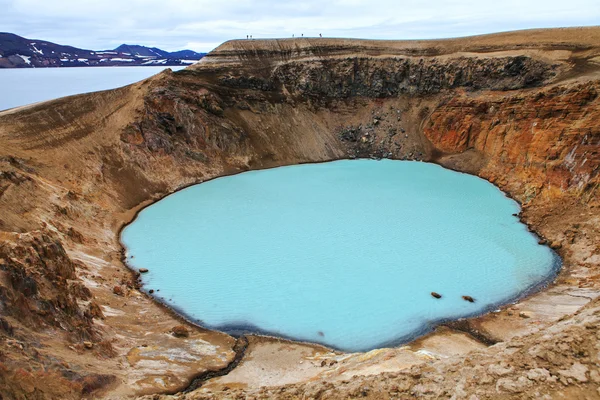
{"x":344,"y":253}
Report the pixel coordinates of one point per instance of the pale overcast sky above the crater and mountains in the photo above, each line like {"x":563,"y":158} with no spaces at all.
{"x":201,"y":25}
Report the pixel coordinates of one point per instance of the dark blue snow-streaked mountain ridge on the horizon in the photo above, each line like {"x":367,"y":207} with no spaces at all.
{"x":19,"y":52}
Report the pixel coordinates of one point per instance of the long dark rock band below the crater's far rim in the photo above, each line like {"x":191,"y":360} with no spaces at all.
{"x":380,"y":78}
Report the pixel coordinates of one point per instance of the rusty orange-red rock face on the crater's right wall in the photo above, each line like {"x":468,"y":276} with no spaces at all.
{"x":549,"y":137}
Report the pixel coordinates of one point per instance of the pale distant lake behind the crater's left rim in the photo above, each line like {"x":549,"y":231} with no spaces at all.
{"x":22,"y":86}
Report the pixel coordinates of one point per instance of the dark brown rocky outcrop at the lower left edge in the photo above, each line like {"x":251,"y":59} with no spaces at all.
{"x":40,"y":291}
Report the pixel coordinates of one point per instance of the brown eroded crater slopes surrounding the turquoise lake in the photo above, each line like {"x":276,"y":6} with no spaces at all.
{"x":519,"y":109}
